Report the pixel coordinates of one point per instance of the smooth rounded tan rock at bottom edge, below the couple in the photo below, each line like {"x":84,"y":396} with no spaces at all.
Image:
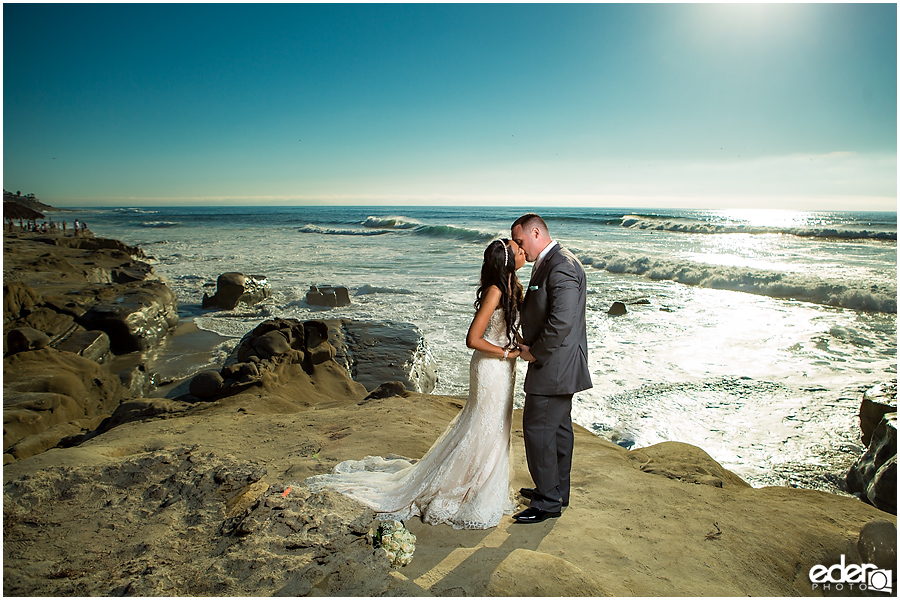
{"x":515,"y":576}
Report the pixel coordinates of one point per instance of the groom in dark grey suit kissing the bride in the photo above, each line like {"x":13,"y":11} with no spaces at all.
{"x":554,"y":342}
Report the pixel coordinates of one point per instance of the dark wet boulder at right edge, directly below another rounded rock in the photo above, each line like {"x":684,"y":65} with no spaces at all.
{"x":873,"y":477}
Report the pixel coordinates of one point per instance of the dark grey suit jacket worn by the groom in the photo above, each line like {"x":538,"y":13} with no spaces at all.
{"x":553,"y":324}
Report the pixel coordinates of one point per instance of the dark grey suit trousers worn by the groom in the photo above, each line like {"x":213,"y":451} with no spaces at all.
{"x":549,"y":442}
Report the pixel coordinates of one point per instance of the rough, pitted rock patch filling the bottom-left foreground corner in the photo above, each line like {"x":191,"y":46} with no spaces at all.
{"x":209,"y":526}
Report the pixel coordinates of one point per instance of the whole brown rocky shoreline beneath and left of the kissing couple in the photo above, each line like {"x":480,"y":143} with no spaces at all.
{"x":113,"y":489}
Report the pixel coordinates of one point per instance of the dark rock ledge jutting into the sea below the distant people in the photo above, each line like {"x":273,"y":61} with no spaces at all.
{"x":67,"y":286}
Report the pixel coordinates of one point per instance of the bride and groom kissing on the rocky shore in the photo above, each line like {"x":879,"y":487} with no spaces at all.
{"x":463,"y":480}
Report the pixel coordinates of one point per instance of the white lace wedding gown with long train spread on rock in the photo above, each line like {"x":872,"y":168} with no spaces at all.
{"x":464,"y":479}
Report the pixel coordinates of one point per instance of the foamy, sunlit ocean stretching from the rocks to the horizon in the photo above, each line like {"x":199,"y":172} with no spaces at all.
{"x":750,"y":333}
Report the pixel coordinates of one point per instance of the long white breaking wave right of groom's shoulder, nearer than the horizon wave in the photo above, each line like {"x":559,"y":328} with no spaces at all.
{"x":863,"y":296}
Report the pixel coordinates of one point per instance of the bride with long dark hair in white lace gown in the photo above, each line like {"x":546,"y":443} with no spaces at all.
{"x":463,"y":480}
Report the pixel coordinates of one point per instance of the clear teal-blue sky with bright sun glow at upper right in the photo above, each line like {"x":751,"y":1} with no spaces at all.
{"x":619,"y":105}
